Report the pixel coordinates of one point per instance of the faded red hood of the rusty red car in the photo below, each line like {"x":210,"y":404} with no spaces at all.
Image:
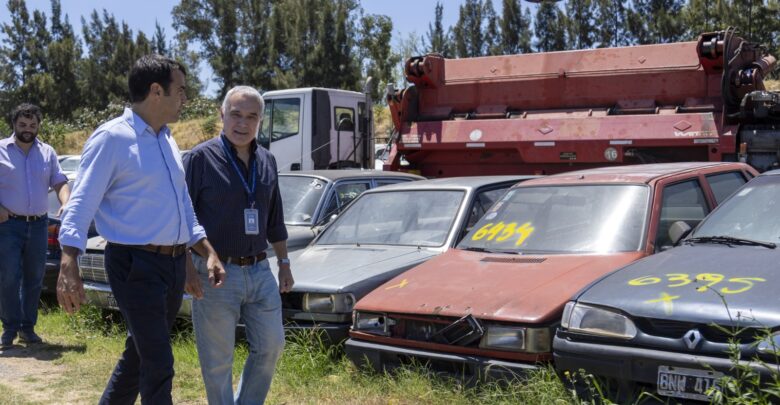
{"x":493,"y":286}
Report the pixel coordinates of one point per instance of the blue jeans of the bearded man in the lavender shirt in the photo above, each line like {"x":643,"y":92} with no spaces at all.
{"x":22,"y":264}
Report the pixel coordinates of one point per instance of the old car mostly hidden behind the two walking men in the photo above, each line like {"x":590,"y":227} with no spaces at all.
{"x":310,"y":199}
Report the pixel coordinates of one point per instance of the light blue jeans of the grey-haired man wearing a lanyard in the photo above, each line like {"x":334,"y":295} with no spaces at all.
{"x":252,"y":294}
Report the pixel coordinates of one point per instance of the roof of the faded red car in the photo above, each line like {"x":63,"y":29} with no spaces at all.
{"x":645,"y":173}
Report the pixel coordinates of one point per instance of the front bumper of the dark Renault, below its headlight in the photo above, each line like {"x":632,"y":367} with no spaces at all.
{"x":638,"y":365}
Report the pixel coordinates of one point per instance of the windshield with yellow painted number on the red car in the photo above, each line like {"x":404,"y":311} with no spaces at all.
{"x":563,"y":219}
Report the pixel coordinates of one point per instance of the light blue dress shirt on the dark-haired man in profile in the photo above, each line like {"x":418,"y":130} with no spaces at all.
{"x":131,"y":181}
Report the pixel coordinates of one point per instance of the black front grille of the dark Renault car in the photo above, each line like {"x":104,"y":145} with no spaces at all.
{"x":677,"y":329}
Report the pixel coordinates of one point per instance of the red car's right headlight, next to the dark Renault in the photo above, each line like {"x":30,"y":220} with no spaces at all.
{"x":518,"y":339}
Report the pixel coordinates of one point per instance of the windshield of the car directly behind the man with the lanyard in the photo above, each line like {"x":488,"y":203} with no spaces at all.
{"x":300,"y":196}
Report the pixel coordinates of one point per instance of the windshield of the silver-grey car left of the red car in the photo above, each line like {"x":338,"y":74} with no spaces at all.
{"x":406,"y":218}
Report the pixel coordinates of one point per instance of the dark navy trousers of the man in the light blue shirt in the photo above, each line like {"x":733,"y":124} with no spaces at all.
{"x":148,"y":289}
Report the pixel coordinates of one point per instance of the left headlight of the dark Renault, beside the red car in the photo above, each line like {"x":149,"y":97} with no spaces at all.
{"x":597,"y":321}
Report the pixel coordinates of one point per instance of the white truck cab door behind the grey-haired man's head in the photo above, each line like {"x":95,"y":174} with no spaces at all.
{"x":281,"y":132}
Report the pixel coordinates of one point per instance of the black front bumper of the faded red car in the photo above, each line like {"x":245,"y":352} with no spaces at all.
{"x":381,"y":357}
